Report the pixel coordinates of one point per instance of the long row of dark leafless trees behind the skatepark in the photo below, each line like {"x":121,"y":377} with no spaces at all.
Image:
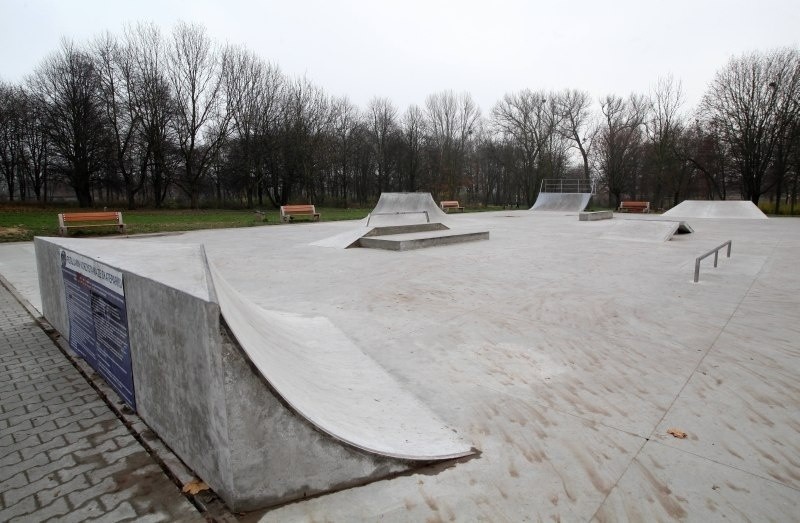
{"x":144,"y":118}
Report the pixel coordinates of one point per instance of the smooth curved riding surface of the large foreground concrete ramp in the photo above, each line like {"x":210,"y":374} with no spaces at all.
{"x":329,"y":381}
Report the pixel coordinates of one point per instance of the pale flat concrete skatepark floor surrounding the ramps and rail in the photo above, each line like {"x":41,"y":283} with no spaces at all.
{"x":564,"y":351}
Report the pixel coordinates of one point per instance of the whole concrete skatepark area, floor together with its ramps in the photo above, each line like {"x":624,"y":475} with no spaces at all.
{"x":539,"y":373}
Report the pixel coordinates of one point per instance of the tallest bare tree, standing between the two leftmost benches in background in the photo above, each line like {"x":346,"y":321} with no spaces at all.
{"x":196,"y":72}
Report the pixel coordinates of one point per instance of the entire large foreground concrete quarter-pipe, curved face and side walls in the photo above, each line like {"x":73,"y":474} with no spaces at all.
{"x":266,"y":407}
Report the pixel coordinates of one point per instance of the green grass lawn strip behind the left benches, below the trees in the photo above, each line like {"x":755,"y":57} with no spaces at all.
{"x":21,"y":223}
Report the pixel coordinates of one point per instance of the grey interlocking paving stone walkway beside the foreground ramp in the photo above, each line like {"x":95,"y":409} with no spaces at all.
{"x":64,"y":455}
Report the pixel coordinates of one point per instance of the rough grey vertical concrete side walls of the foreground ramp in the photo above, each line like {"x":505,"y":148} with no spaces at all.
{"x":198,"y":391}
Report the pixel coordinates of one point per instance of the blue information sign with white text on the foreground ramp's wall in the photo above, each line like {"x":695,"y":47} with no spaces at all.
{"x":98,"y":320}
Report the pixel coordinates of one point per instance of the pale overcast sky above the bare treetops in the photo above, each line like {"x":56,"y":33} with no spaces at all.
{"x":408,"y":49}
